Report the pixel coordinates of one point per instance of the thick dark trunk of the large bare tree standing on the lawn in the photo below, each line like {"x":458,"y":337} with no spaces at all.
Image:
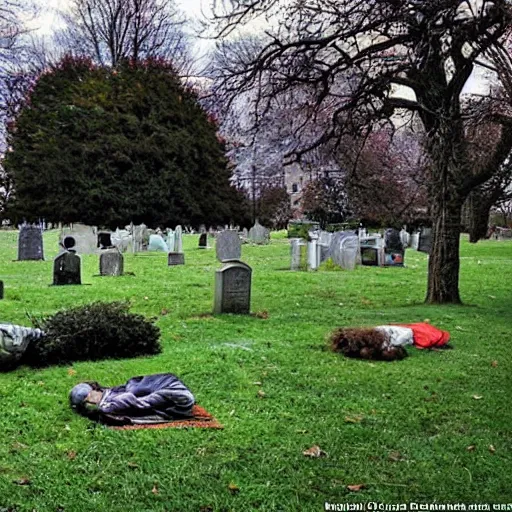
{"x":443,"y":265}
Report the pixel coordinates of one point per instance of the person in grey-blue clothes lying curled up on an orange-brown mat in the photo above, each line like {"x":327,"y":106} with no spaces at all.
{"x":148,"y":399}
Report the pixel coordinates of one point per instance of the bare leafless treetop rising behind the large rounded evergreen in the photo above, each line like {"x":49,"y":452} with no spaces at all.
{"x":111,"y":30}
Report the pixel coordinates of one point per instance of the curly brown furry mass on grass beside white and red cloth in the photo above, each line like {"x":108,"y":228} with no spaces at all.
{"x":365,"y":343}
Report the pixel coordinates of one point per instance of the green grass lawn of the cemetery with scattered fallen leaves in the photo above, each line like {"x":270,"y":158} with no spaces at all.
{"x":433,"y":427}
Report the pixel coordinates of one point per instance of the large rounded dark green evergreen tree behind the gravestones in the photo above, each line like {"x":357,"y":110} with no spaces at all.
{"x":107,"y":146}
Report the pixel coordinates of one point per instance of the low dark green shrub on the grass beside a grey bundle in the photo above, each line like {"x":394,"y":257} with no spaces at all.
{"x":92,"y":332}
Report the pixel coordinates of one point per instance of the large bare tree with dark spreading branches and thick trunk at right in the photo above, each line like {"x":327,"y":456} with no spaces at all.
{"x":356,"y":58}
